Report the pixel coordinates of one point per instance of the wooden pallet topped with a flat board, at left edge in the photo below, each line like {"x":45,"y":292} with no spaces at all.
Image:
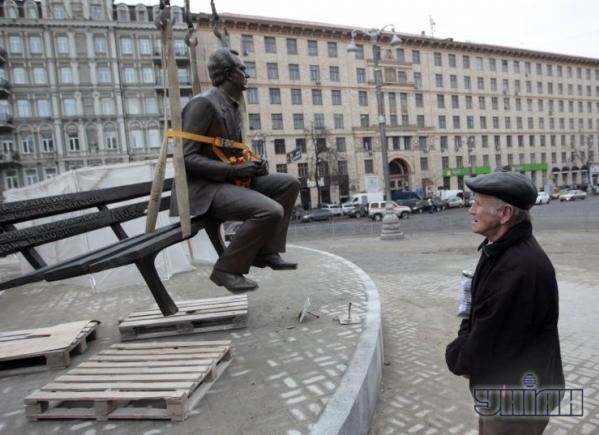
{"x":31,"y":350}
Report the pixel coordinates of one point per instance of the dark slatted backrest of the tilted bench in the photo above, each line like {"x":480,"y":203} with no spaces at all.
{"x":23,"y":240}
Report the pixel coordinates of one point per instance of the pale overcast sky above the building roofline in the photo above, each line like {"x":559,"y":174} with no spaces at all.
{"x":557,"y":26}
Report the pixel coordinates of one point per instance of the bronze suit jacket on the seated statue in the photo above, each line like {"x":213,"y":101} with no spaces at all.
{"x":209,"y":114}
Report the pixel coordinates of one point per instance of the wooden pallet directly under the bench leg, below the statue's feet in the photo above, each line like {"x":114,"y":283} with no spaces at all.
{"x":202,"y":315}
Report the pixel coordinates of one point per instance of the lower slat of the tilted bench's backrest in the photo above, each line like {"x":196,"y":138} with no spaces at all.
{"x":14,"y":241}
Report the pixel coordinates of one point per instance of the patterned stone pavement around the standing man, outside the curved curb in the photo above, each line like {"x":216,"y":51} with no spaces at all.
{"x":418,"y":279}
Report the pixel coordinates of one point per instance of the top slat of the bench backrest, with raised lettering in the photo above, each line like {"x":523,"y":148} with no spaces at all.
{"x":20,"y":211}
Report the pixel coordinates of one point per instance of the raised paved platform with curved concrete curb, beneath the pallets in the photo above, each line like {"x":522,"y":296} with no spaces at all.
{"x":285,"y":378}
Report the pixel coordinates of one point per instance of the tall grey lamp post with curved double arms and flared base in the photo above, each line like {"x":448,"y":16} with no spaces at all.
{"x":390,"y":221}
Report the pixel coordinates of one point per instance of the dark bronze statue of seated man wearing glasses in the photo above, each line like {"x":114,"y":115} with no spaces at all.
{"x":265,"y":207}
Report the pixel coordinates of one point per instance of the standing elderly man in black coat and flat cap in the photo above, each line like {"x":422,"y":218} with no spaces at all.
{"x":510,"y":341}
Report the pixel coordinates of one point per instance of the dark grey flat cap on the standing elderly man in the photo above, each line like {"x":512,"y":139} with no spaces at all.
{"x":512,"y":187}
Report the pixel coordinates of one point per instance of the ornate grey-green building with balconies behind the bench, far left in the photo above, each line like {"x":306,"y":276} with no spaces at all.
{"x":80,"y":85}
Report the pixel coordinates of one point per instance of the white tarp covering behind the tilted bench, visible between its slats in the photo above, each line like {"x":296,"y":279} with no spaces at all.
{"x":170,"y":261}
